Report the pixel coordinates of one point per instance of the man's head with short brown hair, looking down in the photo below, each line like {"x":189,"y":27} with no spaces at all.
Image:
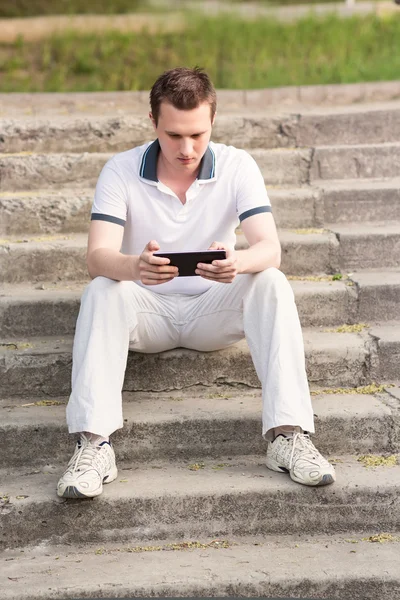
{"x":183,"y":107}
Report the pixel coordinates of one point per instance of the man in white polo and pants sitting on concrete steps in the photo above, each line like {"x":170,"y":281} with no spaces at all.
{"x":185,"y":193}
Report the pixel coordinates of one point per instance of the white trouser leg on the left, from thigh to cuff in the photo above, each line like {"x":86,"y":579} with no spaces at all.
{"x":113,"y":315}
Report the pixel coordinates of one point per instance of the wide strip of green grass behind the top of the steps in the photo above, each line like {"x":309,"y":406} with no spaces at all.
{"x":236,"y":54}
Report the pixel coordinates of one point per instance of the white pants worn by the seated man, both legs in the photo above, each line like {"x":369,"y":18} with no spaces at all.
{"x":116,"y":316}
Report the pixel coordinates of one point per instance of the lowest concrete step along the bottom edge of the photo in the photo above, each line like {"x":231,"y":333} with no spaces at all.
{"x":267,"y":566}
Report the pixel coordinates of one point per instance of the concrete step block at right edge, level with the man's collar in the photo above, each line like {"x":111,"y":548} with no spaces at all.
{"x":353,"y":162}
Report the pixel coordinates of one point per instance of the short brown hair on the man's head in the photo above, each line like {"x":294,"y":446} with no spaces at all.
{"x":184,"y":88}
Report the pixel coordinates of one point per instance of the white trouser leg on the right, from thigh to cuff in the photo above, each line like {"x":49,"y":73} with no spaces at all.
{"x":260,"y":307}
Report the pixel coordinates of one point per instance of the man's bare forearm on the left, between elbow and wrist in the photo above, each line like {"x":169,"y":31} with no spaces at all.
{"x":112,"y":264}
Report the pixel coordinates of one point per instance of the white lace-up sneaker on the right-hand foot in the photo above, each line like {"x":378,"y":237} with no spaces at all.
{"x":298,"y":456}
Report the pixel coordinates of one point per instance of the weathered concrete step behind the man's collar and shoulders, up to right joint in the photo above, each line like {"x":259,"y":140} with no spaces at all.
{"x":30,"y":171}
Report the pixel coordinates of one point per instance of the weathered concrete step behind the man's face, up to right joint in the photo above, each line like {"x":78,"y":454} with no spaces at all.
{"x":119,"y":133}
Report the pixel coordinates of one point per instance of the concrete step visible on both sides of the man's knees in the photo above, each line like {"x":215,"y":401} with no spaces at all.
{"x":52,"y":309}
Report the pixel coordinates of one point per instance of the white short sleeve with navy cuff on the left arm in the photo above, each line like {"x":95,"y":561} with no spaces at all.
{"x":110,"y":198}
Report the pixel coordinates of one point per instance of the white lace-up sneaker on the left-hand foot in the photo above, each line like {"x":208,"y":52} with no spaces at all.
{"x":90,"y":466}
